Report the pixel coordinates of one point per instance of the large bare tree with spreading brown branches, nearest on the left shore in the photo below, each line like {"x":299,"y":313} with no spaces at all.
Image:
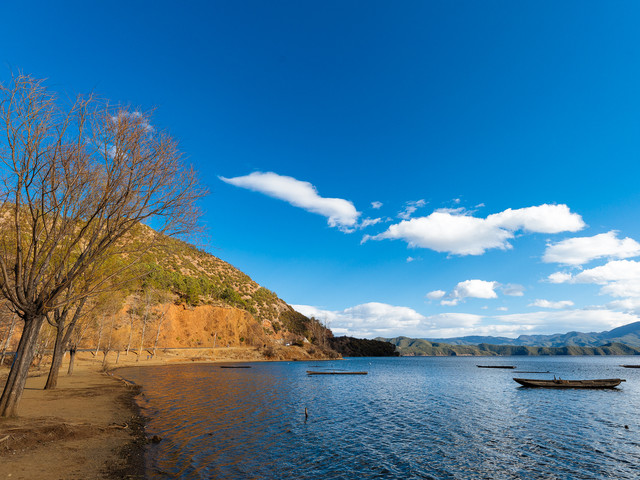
{"x":77,"y":181}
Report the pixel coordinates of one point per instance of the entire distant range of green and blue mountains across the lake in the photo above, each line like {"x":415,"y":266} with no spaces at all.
{"x":623,"y":340}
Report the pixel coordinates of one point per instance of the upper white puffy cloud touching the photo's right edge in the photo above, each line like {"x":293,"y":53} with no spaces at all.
{"x":581,"y":250}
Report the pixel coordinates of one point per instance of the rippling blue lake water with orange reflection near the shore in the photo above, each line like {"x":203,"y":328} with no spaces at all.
{"x":410,"y":417}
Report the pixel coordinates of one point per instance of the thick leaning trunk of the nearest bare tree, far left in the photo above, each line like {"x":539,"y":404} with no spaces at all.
{"x":20,"y":369}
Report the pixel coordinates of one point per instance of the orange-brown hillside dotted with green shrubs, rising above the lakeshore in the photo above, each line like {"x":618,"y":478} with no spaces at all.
{"x":181,"y":297}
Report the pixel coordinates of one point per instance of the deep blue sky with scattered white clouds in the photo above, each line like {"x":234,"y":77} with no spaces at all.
{"x":432,"y":169}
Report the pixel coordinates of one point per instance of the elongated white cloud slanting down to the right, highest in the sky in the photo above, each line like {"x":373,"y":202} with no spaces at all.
{"x":340,"y":213}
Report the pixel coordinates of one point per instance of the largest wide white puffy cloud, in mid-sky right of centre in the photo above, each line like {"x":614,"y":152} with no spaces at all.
{"x":456,"y":232}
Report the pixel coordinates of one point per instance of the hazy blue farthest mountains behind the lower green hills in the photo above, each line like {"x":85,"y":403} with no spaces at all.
{"x":627,"y":334}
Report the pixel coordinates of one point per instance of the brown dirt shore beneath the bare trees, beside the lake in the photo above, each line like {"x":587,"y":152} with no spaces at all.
{"x":89,"y":427}
